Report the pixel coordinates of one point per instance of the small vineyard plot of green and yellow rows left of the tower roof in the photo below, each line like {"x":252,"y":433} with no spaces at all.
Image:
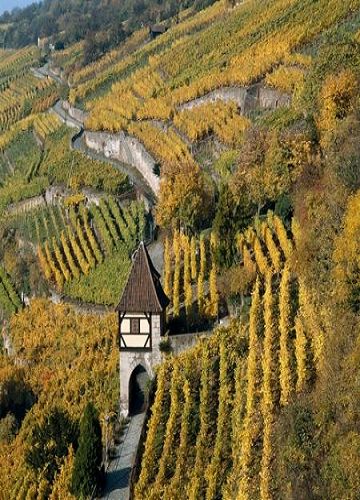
{"x":74,"y":242}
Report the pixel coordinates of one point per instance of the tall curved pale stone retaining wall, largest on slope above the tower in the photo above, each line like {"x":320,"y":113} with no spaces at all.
{"x":125,"y":149}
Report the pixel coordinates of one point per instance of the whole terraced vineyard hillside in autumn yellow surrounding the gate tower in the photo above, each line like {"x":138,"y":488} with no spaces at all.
{"x":248,"y":114}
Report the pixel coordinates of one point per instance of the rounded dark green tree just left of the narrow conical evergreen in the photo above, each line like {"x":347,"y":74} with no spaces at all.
{"x":50,"y":442}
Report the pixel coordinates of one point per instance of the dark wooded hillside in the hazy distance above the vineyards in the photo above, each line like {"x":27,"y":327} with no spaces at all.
{"x":102,"y":24}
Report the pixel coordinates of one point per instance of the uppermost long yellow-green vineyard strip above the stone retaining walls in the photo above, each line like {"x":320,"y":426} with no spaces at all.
{"x":165,"y":80}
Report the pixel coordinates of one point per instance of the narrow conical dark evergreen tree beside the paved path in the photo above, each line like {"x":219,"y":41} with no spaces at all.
{"x":86,"y":472}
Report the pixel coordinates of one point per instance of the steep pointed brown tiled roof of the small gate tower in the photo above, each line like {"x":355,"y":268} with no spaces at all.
{"x":143,"y":291}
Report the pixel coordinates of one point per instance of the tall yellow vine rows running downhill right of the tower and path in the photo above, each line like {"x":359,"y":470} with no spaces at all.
{"x":214,"y":403}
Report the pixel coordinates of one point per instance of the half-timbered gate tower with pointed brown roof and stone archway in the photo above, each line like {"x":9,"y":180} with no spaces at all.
{"x":141,"y":325}
